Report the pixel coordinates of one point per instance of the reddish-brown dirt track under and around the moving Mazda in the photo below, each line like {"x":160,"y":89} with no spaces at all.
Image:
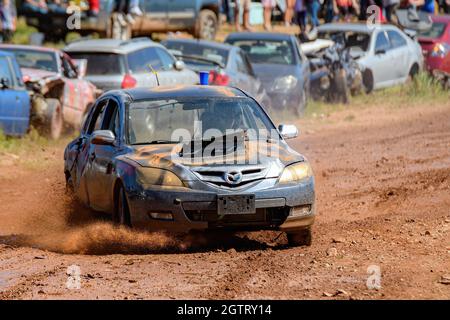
{"x":383,"y":192}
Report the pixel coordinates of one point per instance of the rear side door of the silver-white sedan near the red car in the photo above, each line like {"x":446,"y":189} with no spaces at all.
{"x":400,"y":54}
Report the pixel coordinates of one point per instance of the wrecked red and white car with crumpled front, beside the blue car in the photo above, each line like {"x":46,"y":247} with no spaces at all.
{"x":52,"y":74}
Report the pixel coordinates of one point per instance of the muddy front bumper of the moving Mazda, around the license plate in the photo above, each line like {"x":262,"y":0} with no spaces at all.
{"x":287,"y":208}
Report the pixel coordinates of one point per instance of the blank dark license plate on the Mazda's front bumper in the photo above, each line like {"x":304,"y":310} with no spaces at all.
{"x":236,"y":204}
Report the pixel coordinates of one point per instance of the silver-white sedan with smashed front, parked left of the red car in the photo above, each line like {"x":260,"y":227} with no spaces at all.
{"x":386,"y":55}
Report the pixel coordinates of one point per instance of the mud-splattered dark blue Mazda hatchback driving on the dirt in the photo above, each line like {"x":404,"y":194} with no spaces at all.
{"x":106,"y":169}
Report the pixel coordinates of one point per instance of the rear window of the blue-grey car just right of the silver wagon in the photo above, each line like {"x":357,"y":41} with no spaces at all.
{"x":214,"y":54}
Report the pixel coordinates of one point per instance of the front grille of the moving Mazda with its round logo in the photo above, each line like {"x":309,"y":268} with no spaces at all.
{"x":217,"y":176}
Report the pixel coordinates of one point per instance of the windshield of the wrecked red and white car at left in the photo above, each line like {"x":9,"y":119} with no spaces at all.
{"x":35,"y":59}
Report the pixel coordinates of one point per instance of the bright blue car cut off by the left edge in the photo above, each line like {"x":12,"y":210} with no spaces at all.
{"x":14,"y":99}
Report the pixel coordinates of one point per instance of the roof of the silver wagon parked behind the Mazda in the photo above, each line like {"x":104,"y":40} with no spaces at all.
{"x":110,"y":45}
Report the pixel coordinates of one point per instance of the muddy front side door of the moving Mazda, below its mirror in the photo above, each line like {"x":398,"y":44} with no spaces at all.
{"x":100,"y":169}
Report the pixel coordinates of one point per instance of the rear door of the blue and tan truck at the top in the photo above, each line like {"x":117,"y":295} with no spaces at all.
{"x":155,"y":16}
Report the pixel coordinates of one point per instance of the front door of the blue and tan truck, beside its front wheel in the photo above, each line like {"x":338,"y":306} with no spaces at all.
{"x":181,"y":14}
